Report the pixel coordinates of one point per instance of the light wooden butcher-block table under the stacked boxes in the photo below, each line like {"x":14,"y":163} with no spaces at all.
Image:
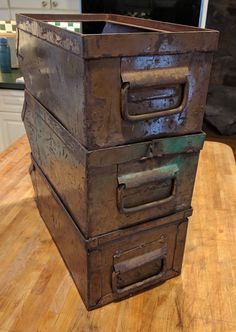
{"x":38,"y":294}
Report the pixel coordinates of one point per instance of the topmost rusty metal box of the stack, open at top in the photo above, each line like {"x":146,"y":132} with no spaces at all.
{"x":147,"y":80}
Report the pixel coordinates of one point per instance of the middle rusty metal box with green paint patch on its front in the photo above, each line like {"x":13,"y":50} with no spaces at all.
{"x":113,"y":188}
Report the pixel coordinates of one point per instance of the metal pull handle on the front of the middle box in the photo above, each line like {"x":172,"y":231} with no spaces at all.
{"x":137,"y":179}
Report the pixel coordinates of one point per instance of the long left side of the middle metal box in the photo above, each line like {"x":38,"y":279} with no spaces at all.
{"x":60,"y":157}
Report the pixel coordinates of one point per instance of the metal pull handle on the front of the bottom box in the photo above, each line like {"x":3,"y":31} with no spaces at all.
{"x":137,"y":262}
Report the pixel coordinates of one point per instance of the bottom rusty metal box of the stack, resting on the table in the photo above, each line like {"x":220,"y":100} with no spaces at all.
{"x":117,"y":264}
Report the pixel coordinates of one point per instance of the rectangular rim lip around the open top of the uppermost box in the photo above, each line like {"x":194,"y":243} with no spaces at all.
{"x":129,"y":44}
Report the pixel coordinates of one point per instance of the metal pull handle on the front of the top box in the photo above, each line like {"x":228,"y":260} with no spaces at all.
{"x":163,"y":77}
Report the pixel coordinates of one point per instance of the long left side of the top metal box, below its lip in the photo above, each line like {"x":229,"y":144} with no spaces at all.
{"x":56,"y":78}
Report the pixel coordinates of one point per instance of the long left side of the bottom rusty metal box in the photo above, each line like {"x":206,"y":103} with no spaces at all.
{"x":66,"y":236}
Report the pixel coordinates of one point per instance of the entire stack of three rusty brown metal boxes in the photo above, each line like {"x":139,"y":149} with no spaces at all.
{"x":114,"y":117}
